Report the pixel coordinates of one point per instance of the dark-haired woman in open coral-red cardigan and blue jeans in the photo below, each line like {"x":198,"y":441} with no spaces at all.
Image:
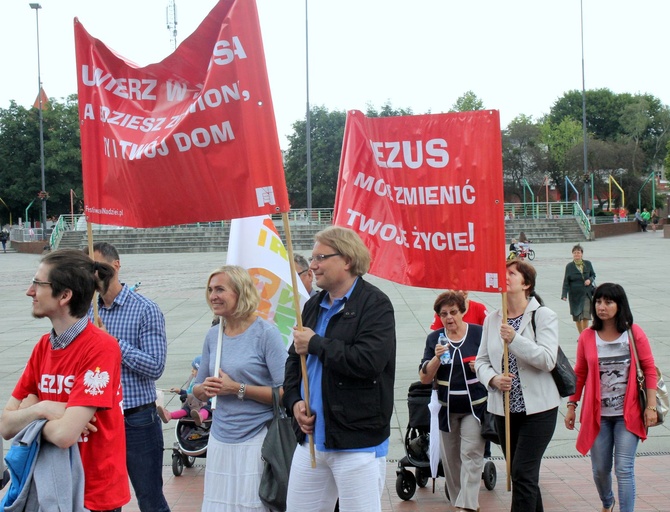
{"x":612,"y":422}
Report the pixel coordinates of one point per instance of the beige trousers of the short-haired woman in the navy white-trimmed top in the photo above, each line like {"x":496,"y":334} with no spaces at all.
{"x":462,"y":452}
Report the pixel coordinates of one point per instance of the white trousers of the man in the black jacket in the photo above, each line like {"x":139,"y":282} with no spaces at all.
{"x":356,"y":478}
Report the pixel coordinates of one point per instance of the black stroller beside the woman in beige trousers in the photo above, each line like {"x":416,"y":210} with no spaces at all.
{"x":417,"y":442}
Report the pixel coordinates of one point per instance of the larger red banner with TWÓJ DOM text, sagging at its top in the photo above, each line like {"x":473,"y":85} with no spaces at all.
{"x":189,"y":139}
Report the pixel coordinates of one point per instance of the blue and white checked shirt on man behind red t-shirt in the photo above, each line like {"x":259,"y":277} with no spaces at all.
{"x":139,"y":325}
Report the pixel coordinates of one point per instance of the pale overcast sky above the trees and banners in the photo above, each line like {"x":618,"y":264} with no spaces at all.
{"x":518,"y":56}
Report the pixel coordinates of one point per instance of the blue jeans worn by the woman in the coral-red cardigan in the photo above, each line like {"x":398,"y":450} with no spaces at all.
{"x":615,"y":443}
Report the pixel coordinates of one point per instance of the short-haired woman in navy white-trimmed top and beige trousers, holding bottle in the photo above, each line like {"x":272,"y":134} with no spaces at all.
{"x":462,"y":396}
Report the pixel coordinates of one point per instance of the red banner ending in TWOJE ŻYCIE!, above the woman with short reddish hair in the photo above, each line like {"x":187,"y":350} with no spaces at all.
{"x":425,"y":194}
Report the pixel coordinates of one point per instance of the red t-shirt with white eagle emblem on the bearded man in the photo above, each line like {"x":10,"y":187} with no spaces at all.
{"x":87,"y":373}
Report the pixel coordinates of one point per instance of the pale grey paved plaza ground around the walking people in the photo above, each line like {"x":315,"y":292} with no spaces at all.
{"x":639,"y":262}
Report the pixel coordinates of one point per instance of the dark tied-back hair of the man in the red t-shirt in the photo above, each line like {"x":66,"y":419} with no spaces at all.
{"x":71,"y":269}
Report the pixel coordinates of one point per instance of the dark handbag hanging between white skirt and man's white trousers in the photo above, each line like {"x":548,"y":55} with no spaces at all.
{"x":277,"y":453}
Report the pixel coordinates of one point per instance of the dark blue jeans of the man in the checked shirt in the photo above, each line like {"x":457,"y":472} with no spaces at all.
{"x":144,"y":459}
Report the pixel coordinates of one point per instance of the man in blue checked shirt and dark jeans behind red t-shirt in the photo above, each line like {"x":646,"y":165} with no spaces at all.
{"x":139,"y":326}
